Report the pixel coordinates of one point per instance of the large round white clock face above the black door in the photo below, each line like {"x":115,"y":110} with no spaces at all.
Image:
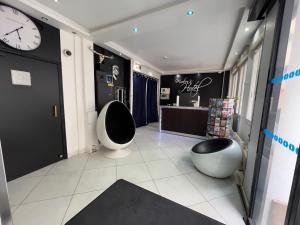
{"x":17,"y":30}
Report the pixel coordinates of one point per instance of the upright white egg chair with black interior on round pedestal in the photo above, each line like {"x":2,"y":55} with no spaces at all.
{"x":115,"y":129}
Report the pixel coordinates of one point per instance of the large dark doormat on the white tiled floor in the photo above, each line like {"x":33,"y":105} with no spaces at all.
{"x":124,"y":203}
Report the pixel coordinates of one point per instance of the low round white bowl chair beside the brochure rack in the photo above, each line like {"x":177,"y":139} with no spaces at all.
{"x":218,"y":157}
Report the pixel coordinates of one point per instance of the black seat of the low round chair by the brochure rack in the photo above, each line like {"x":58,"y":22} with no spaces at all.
{"x":212,"y":145}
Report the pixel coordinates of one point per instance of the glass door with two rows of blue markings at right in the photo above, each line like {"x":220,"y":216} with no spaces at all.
{"x":275,"y":190}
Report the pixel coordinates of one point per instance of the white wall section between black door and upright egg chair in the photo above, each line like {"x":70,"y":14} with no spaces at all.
{"x":79,"y":97}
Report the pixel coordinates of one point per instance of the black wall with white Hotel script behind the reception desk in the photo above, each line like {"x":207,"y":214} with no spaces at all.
{"x":214,"y":90}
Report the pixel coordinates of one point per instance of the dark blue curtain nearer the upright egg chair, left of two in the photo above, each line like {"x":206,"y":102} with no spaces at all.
{"x":139,"y":100}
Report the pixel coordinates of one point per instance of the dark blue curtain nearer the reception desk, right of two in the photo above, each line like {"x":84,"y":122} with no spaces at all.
{"x":152,"y":113}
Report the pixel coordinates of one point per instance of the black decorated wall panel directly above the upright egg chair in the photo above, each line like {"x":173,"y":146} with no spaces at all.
{"x":104,"y":93}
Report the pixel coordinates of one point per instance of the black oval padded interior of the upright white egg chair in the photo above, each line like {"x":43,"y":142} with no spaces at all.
{"x":120,"y":126}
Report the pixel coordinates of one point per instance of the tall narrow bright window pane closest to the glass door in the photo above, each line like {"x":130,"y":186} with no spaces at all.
{"x":253,"y":84}
